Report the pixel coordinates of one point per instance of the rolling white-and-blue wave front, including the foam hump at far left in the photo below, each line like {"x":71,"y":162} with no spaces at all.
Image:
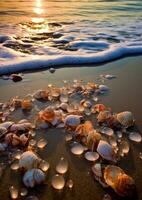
{"x":12,"y":62}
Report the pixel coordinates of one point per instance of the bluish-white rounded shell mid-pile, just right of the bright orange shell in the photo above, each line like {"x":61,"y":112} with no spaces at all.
{"x":72,"y":120}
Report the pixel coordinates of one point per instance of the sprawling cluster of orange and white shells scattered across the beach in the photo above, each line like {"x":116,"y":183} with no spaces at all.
{"x":103,"y":140}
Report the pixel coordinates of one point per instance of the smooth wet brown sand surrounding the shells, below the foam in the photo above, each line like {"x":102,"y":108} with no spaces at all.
{"x":125,"y":94}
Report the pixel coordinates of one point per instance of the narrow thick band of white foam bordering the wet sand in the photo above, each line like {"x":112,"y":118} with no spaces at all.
{"x":50,"y":61}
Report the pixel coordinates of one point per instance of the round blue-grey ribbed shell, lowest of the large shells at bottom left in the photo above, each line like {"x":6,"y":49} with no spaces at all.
{"x":33,"y":177}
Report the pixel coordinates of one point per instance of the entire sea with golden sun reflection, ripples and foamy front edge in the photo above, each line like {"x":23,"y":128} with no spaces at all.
{"x":36,"y":34}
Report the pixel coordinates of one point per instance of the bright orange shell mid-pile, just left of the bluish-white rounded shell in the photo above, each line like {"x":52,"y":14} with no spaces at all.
{"x":47,"y":115}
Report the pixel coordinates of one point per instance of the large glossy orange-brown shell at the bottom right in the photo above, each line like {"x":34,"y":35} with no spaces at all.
{"x":121,"y":183}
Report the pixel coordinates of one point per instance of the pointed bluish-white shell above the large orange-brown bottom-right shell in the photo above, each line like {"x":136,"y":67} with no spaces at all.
{"x":106,"y":151}
